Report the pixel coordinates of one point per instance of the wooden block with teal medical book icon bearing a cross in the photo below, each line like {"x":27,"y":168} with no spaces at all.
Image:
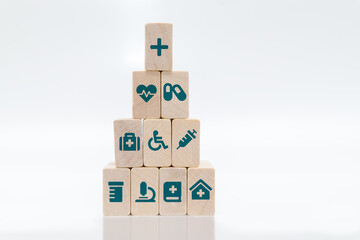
{"x":173,"y":191}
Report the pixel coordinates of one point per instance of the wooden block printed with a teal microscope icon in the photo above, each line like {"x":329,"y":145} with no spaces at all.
{"x":145,"y":191}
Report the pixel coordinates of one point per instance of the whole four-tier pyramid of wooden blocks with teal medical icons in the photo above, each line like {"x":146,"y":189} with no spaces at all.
{"x":157,"y":168}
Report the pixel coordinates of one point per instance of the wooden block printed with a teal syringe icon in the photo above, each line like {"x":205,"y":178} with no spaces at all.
{"x":185,"y":143}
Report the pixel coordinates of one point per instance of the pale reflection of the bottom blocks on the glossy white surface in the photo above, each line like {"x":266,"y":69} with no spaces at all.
{"x":159,"y":228}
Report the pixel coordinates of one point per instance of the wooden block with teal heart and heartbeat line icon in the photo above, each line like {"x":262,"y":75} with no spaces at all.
{"x":146,"y":94}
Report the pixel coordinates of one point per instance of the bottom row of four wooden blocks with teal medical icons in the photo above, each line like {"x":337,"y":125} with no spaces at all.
{"x":166,"y":191}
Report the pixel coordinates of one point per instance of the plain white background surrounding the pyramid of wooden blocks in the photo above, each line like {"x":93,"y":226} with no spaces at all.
{"x":275,"y":84}
